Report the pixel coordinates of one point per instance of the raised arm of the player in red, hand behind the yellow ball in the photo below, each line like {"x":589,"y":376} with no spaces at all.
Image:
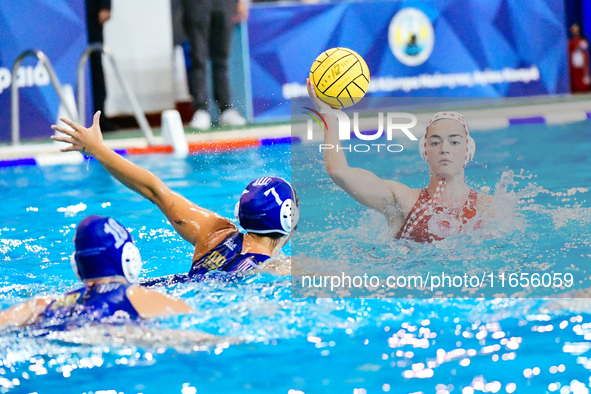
{"x":363,"y":185}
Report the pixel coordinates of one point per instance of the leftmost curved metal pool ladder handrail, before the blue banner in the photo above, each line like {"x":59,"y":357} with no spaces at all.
{"x":14,"y":95}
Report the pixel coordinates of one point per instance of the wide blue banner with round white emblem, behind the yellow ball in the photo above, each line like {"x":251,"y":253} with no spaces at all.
{"x":444,"y":48}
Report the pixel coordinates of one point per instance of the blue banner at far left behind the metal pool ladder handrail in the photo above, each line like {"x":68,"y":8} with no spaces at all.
{"x":56,"y":27}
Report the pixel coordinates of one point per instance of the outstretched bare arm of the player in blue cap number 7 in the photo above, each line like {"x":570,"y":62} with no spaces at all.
{"x":195,"y":224}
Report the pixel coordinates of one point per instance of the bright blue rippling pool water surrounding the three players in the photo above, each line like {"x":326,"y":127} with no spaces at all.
{"x":267,"y":341}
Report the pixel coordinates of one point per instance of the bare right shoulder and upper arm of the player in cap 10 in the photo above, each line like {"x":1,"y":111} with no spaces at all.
{"x":149,"y":303}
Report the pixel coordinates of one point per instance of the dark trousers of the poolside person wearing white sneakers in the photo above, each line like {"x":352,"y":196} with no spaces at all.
{"x":208,"y":26}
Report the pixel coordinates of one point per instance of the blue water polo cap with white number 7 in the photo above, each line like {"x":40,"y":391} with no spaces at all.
{"x":268,"y":205}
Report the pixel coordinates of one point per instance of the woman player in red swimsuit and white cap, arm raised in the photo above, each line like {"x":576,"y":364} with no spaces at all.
{"x":444,"y":207}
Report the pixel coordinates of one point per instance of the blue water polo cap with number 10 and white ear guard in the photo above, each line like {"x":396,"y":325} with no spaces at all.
{"x":105,"y":248}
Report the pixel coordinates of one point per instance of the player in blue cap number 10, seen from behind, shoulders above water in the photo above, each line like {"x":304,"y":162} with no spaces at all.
{"x":108,"y":263}
